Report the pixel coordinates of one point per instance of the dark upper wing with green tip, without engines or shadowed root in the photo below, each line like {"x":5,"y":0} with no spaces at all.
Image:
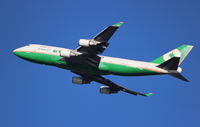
{"x":102,"y":39}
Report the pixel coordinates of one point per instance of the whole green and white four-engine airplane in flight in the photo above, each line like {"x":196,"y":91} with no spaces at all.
{"x":86,"y":62}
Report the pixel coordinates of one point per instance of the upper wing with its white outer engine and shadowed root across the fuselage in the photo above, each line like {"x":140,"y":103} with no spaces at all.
{"x":91,"y":48}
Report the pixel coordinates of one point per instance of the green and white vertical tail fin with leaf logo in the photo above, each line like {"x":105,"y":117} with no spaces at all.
{"x":181,"y":52}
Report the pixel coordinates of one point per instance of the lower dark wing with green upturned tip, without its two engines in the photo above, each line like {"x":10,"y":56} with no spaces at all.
{"x":113,"y":86}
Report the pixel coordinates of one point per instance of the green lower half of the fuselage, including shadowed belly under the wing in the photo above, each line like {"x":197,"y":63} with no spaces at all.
{"x":103,"y":69}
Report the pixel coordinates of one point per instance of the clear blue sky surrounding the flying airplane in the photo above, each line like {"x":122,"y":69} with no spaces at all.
{"x":34,"y":95}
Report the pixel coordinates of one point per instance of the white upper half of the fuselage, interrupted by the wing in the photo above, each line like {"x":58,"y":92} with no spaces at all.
{"x":51,"y":50}
